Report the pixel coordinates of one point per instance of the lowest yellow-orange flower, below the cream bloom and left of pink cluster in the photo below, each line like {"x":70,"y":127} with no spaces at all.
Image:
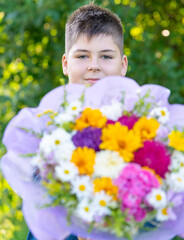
{"x":105,"y":184}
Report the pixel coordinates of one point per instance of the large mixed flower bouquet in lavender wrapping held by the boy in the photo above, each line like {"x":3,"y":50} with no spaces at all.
{"x":104,"y":162}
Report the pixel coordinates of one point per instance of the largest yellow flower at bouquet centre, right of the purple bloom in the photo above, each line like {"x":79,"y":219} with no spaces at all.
{"x":119,"y":138}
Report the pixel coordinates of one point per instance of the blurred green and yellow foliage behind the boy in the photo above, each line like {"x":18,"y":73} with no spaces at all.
{"x":31,"y":48}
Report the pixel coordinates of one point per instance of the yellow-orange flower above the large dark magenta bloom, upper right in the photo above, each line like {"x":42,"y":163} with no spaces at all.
{"x":146,"y":128}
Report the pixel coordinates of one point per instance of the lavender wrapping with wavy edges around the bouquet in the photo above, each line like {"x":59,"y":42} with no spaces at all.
{"x":50,"y":223}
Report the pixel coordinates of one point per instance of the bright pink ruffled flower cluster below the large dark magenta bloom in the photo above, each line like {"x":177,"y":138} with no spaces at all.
{"x":134,"y":183}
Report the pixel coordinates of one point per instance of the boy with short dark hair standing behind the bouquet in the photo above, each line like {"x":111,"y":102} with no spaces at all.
{"x":93,"y":48}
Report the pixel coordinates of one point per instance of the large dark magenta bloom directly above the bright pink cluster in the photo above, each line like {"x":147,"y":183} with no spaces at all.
{"x":155,"y":156}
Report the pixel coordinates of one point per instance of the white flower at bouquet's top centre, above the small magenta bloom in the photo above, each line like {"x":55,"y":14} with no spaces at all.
{"x":113,"y":111}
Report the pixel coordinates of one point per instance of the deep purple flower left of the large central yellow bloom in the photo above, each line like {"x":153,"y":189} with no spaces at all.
{"x":89,"y":137}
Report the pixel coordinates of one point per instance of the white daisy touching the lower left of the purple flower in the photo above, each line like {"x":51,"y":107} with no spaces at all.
{"x":64,"y":152}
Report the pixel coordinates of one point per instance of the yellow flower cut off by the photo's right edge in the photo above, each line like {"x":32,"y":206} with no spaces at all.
{"x":176,"y":140}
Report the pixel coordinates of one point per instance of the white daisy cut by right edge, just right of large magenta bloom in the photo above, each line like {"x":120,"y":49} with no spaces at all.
{"x":177,"y":161}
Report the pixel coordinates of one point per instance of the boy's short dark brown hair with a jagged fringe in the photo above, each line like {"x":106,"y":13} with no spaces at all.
{"x":93,"y":20}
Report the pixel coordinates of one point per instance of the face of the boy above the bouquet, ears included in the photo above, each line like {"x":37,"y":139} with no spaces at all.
{"x":90,"y":60}
